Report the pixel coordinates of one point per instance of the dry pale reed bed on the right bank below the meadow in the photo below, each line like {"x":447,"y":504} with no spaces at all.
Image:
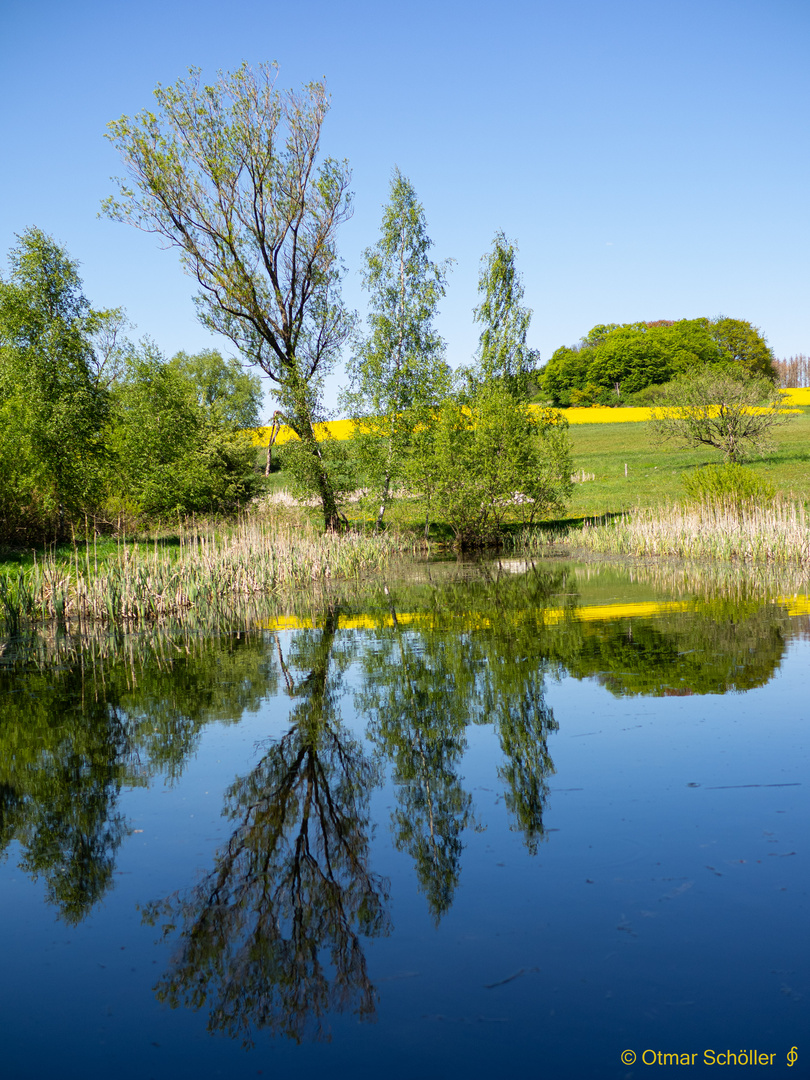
{"x":730,"y":531}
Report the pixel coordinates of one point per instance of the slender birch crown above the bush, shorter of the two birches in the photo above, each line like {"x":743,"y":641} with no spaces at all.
{"x":503,"y":354}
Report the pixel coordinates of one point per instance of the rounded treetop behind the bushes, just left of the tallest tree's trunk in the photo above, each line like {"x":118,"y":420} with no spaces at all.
{"x":231,"y":395}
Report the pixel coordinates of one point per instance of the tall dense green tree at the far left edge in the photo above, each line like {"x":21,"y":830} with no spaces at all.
{"x":53,"y":411}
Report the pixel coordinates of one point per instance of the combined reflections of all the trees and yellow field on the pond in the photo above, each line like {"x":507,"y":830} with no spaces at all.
{"x":273,"y":937}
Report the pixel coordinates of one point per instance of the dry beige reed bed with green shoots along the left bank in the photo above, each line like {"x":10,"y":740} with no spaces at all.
{"x":208,"y":571}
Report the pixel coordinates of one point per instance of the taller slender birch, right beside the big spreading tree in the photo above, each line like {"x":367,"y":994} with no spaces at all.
{"x":399,"y":374}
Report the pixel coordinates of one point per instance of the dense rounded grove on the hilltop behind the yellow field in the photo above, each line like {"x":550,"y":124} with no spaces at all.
{"x":615,"y":363}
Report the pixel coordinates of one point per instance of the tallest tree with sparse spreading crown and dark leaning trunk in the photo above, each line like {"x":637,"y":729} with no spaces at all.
{"x":232,"y":175}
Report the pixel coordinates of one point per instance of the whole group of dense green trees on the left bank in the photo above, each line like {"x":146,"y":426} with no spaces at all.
{"x":94,"y":427}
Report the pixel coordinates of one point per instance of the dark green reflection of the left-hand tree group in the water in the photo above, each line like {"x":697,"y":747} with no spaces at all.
{"x":80,"y":721}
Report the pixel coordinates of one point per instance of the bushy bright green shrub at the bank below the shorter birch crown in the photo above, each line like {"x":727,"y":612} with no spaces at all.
{"x":497,"y":461}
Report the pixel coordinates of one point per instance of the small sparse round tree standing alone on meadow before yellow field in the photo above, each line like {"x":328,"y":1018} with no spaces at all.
{"x":722,"y":409}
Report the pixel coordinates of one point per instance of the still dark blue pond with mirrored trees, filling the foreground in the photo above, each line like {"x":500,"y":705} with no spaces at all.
{"x":503,"y":821}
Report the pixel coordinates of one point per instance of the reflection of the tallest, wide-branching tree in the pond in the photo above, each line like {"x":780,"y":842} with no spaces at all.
{"x":272,"y":937}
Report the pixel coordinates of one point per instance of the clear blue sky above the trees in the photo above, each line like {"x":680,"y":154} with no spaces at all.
{"x":651,"y":158}
